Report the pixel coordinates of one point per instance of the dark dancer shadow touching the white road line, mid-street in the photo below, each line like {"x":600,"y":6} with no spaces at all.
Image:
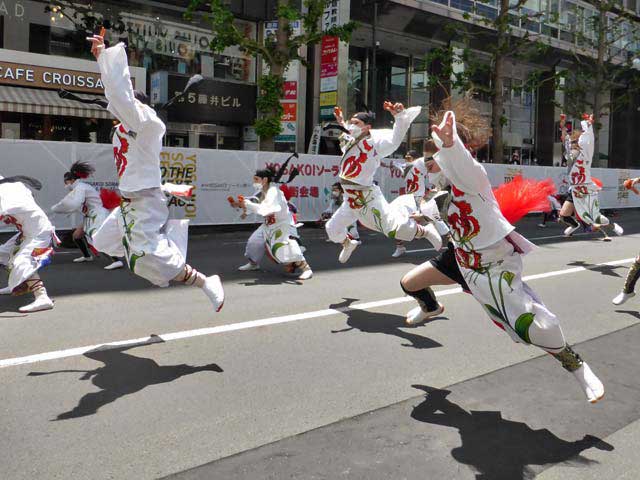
{"x":389,"y":324}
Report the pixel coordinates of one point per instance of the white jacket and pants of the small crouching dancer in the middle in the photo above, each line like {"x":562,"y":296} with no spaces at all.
{"x":277,"y":235}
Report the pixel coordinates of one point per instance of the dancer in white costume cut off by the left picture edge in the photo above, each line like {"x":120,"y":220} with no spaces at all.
{"x":30,"y":249}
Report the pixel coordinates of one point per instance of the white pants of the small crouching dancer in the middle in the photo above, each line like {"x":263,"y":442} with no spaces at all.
{"x":276,"y":241}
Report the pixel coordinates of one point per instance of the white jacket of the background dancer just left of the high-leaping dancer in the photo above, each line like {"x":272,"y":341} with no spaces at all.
{"x":85,"y":199}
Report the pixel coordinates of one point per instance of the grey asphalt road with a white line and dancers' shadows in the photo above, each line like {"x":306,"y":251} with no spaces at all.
{"x":317,"y":380}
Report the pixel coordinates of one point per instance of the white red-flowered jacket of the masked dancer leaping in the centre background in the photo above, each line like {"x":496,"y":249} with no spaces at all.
{"x":360,"y":160}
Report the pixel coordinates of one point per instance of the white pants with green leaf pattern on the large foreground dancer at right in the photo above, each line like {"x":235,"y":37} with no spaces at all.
{"x":494,"y":276}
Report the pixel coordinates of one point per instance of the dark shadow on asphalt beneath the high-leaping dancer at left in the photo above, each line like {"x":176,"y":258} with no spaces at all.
{"x":123,"y":374}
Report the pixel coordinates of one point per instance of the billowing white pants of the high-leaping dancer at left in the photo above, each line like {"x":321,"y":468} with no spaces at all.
{"x":155,"y":248}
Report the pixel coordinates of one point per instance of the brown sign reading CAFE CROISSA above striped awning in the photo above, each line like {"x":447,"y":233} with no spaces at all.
{"x":52,"y":78}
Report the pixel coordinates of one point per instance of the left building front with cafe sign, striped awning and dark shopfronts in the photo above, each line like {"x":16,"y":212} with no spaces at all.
{"x":43,"y":48}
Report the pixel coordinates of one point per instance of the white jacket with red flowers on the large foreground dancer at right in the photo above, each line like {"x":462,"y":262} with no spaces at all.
{"x":475,"y":218}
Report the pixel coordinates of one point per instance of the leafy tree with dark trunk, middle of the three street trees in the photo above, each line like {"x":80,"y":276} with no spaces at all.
{"x":508,"y":32}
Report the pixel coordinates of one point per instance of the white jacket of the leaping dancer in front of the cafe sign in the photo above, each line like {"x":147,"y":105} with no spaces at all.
{"x":137,"y":141}
